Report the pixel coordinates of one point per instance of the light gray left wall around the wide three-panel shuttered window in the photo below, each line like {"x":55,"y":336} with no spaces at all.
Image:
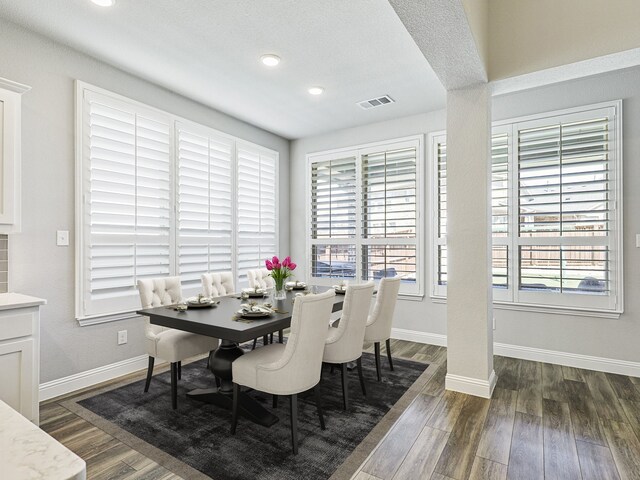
{"x":36,"y":265}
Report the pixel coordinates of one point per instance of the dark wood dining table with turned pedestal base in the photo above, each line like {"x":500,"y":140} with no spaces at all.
{"x":222,"y":322}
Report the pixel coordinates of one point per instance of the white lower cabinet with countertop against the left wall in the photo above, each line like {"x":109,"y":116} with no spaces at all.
{"x":20,"y":353}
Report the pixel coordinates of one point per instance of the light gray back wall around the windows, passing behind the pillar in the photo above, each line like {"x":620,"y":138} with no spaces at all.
{"x":608,"y":338}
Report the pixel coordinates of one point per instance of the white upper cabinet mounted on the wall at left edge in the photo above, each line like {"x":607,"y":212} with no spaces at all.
{"x":10,"y":124}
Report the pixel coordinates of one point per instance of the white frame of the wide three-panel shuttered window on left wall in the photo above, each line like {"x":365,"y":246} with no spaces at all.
{"x":81,"y":193}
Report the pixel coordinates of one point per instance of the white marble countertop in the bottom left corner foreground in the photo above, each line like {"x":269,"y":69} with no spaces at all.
{"x":28,"y":453}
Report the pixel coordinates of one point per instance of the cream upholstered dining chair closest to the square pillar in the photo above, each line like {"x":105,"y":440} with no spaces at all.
{"x":381,"y":319}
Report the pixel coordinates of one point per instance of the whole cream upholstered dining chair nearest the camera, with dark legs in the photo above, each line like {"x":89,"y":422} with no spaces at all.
{"x":292,"y":368}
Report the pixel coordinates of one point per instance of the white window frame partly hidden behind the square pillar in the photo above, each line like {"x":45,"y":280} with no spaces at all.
{"x":516,"y":299}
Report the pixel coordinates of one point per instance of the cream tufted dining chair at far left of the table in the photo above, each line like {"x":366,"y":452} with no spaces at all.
{"x":169,"y":344}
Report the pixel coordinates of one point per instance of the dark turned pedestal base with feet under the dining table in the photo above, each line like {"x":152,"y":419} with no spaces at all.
{"x":220,"y":364}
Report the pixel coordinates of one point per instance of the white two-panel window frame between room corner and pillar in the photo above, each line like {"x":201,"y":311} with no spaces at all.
{"x":358,"y":151}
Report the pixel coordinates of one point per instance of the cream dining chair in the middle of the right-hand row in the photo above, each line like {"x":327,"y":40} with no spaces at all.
{"x":344,"y":342}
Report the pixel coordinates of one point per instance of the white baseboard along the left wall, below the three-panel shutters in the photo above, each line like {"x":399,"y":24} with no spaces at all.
{"x":81,"y":380}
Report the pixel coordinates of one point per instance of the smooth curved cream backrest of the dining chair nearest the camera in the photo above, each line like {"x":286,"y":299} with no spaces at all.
{"x":301,"y":363}
